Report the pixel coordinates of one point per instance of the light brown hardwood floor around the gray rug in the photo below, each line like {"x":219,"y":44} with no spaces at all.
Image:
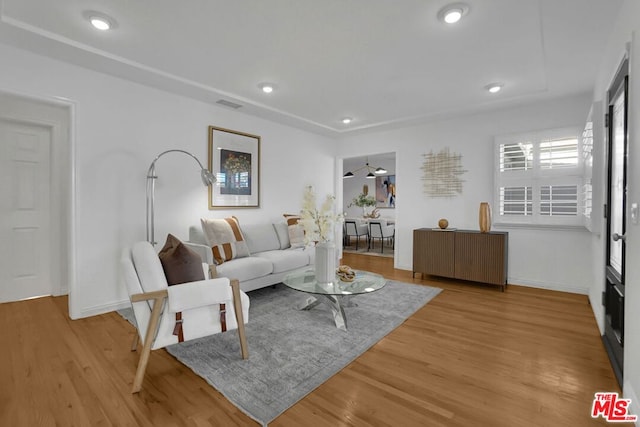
{"x":473,"y":356}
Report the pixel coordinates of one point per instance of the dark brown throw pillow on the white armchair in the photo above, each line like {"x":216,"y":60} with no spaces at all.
{"x":180,"y":263}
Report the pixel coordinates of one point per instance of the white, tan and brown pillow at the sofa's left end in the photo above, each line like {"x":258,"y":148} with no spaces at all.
{"x":225,"y":238}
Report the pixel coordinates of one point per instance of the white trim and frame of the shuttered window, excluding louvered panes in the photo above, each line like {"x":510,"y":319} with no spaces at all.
{"x":537,"y":177}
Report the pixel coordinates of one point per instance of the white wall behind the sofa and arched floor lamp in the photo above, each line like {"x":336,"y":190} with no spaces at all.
{"x":119,"y":129}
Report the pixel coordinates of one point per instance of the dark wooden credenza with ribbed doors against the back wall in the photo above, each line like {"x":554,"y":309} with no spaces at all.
{"x":462,"y":254}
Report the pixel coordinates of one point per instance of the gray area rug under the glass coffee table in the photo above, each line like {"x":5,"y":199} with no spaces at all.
{"x":292,"y":352}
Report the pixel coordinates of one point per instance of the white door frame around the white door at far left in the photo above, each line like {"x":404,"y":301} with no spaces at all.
{"x":37,"y":110}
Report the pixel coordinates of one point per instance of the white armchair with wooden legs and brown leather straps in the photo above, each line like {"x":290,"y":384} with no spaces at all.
{"x":204,"y":307}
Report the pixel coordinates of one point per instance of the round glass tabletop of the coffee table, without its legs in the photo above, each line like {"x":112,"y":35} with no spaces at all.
{"x":305,"y":281}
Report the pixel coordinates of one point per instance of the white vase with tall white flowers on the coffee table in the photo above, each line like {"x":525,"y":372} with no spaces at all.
{"x":319,"y":227}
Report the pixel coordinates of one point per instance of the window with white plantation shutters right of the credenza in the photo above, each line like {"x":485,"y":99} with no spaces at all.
{"x":539,"y":179}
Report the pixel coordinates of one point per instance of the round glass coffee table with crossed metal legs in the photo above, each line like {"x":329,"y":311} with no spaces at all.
{"x":335,"y":294}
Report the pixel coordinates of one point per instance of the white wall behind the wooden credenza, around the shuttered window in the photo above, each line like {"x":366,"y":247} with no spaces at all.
{"x":544,"y":258}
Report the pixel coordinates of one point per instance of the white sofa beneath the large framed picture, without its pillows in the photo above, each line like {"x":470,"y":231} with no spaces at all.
{"x":271,"y":255}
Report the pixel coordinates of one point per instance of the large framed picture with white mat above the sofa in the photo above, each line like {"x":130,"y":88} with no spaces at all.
{"x":234,"y":159}
